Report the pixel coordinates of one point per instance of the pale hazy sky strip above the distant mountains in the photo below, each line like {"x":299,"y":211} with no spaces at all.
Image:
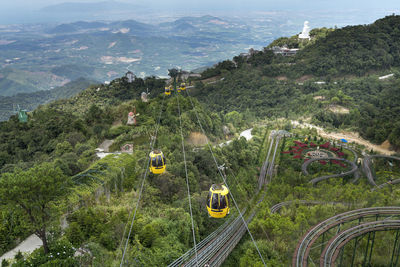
{"x":365,"y":11}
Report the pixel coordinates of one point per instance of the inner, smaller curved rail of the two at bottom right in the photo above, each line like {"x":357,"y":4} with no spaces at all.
{"x":332,"y":250}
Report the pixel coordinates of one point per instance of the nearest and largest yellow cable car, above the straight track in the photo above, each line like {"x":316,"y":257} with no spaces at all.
{"x":218,"y":201}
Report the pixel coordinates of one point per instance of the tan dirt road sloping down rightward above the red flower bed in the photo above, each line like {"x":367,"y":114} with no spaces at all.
{"x":349,"y":136}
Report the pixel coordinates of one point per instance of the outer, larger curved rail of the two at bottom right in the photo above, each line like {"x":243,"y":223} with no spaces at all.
{"x":303,"y":248}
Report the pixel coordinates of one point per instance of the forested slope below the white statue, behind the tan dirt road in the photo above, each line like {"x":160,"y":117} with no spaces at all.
{"x":340,"y":69}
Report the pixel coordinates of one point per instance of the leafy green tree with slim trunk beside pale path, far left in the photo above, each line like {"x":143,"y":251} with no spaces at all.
{"x":35,"y":192}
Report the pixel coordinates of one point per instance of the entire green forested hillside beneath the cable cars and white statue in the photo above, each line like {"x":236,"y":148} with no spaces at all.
{"x":53,"y":183}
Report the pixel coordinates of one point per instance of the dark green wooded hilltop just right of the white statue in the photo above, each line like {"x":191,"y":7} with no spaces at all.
{"x":354,"y":50}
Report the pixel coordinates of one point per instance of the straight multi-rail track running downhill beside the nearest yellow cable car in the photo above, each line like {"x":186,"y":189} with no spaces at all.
{"x":215,"y":248}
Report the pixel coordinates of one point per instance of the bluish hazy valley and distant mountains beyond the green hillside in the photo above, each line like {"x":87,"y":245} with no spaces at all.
{"x":40,"y":56}
